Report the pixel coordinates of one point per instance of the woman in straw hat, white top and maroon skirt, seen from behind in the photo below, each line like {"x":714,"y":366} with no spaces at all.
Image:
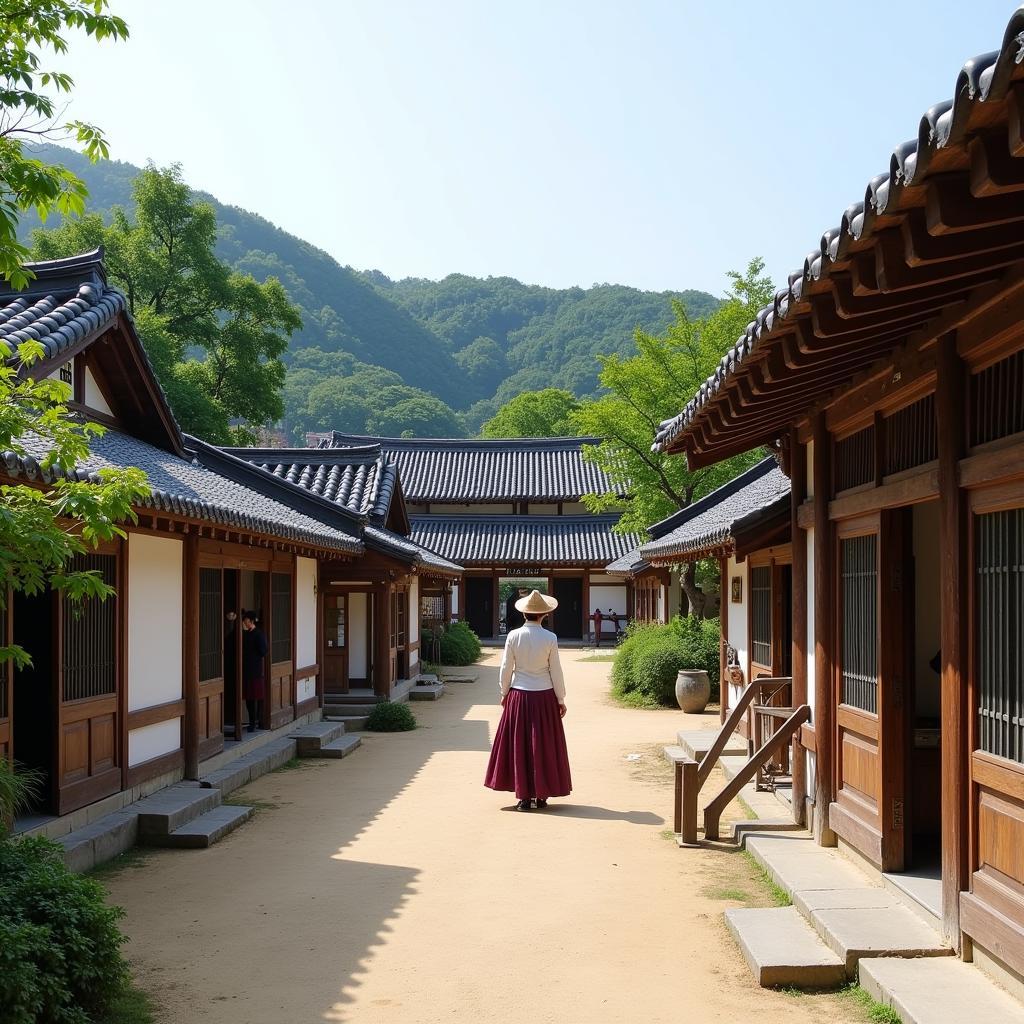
{"x":529,"y":756}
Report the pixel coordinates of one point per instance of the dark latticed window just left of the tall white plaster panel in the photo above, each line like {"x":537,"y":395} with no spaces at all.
{"x":91,"y":634}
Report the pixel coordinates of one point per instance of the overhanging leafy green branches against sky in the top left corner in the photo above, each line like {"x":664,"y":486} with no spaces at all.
{"x":29,"y":28}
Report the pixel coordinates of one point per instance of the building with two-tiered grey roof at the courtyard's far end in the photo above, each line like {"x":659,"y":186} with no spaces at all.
{"x":510,"y":511}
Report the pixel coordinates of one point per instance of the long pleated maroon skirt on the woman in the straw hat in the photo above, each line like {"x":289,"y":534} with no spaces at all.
{"x":529,"y":756}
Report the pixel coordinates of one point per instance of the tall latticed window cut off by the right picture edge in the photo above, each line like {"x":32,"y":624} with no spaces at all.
{"x":1000,"y":605}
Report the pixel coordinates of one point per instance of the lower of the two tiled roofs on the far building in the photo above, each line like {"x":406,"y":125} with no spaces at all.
{"x":534,"y":540}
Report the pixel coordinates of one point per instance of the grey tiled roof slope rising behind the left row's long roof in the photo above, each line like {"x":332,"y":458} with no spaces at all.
{"x":360,"y":479}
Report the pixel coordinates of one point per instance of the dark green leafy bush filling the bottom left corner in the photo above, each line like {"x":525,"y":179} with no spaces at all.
{"x":61,"y":958}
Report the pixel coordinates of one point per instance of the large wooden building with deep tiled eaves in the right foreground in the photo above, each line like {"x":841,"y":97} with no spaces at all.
{"x":889,"y":375}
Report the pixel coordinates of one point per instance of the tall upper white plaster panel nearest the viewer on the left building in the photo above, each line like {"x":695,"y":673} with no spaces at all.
{"x":155,"y":594}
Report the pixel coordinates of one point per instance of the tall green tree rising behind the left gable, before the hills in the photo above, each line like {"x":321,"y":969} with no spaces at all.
{"x":187,"y":303}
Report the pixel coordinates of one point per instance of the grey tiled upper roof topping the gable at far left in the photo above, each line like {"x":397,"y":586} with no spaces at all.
{"x":68,"y":302}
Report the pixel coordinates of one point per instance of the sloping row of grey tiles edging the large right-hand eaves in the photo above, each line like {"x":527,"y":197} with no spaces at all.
{"x":984,"y":82}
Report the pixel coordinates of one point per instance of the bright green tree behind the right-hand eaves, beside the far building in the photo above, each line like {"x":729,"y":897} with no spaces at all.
{"x":652,"y":387}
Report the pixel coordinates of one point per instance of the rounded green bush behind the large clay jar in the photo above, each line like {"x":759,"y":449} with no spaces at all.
{"x":647,"y":663}
